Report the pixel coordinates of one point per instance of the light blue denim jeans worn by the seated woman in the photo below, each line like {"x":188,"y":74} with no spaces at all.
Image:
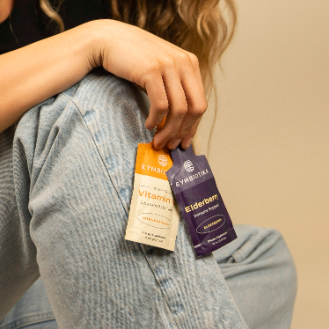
{"x":66,"y":177}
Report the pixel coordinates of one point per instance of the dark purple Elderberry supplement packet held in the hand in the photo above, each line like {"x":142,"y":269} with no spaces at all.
{"x":200,"y":202}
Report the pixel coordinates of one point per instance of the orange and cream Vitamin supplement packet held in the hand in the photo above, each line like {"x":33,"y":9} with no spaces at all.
{"x":153,"y":215}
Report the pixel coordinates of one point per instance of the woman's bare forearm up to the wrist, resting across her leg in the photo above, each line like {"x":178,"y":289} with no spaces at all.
{"x":36,"y":72}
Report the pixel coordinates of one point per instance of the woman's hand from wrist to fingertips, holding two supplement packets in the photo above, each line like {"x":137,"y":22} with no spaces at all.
{"x":169,"y":74}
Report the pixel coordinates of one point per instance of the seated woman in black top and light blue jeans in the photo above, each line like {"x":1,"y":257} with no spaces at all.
{"x":67,"y":172}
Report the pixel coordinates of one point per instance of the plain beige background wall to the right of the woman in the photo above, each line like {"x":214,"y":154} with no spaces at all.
{"x":270,"y":151}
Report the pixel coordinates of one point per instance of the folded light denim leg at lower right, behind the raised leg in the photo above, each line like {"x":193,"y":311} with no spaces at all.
{"x":261,"y":276}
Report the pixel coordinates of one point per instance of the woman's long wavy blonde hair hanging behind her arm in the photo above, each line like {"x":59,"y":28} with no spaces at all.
{"x":203,"y":27}
